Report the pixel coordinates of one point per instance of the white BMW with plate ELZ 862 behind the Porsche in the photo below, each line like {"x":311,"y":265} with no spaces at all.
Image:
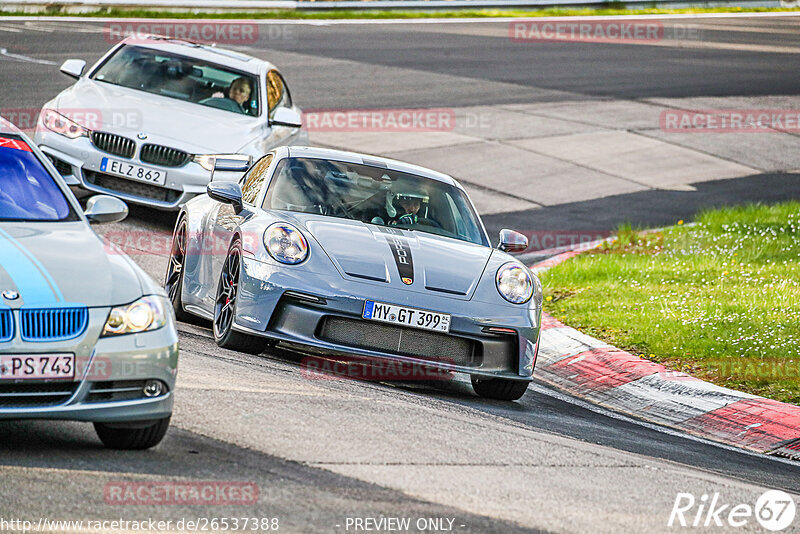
{"x":147,"y":122}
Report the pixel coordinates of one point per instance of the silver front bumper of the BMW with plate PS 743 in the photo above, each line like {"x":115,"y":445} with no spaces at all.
{"x":110,"y":374}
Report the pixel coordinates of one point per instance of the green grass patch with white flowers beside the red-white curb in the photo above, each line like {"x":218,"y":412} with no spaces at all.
{"x":719,"y":300}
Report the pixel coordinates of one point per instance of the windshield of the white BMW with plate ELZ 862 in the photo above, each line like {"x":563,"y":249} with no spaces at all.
{"x":181,"y":77}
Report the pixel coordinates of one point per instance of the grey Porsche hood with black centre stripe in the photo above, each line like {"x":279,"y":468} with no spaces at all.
{"x":415,"y":261}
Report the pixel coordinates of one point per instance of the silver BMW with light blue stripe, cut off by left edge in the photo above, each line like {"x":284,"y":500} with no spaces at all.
{"x":85,"y":334}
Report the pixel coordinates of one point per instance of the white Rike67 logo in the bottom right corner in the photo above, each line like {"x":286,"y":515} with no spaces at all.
{"x":774,"y":510}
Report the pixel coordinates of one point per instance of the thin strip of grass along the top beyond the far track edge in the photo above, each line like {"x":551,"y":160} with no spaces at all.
{"x":59,"y":10}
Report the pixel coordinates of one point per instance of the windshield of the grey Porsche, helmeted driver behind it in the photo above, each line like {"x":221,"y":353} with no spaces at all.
{"x":373,"y":195}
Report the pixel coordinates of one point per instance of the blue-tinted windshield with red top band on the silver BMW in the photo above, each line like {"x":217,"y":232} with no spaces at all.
{"x":27,"y":191}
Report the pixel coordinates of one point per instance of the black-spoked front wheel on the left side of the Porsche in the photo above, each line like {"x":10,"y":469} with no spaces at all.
{"x":225,"y":307}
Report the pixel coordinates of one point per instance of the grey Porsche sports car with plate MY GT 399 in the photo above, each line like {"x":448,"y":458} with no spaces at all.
{"x":356,"y":255}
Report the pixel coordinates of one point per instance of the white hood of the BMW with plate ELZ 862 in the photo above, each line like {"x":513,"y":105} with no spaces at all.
{"x":184,"y":125}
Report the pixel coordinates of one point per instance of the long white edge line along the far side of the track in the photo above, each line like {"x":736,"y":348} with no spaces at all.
{"x":325,"y":22}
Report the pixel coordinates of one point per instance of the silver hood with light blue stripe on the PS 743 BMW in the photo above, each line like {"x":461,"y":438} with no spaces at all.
{"x":53,"y":264}
